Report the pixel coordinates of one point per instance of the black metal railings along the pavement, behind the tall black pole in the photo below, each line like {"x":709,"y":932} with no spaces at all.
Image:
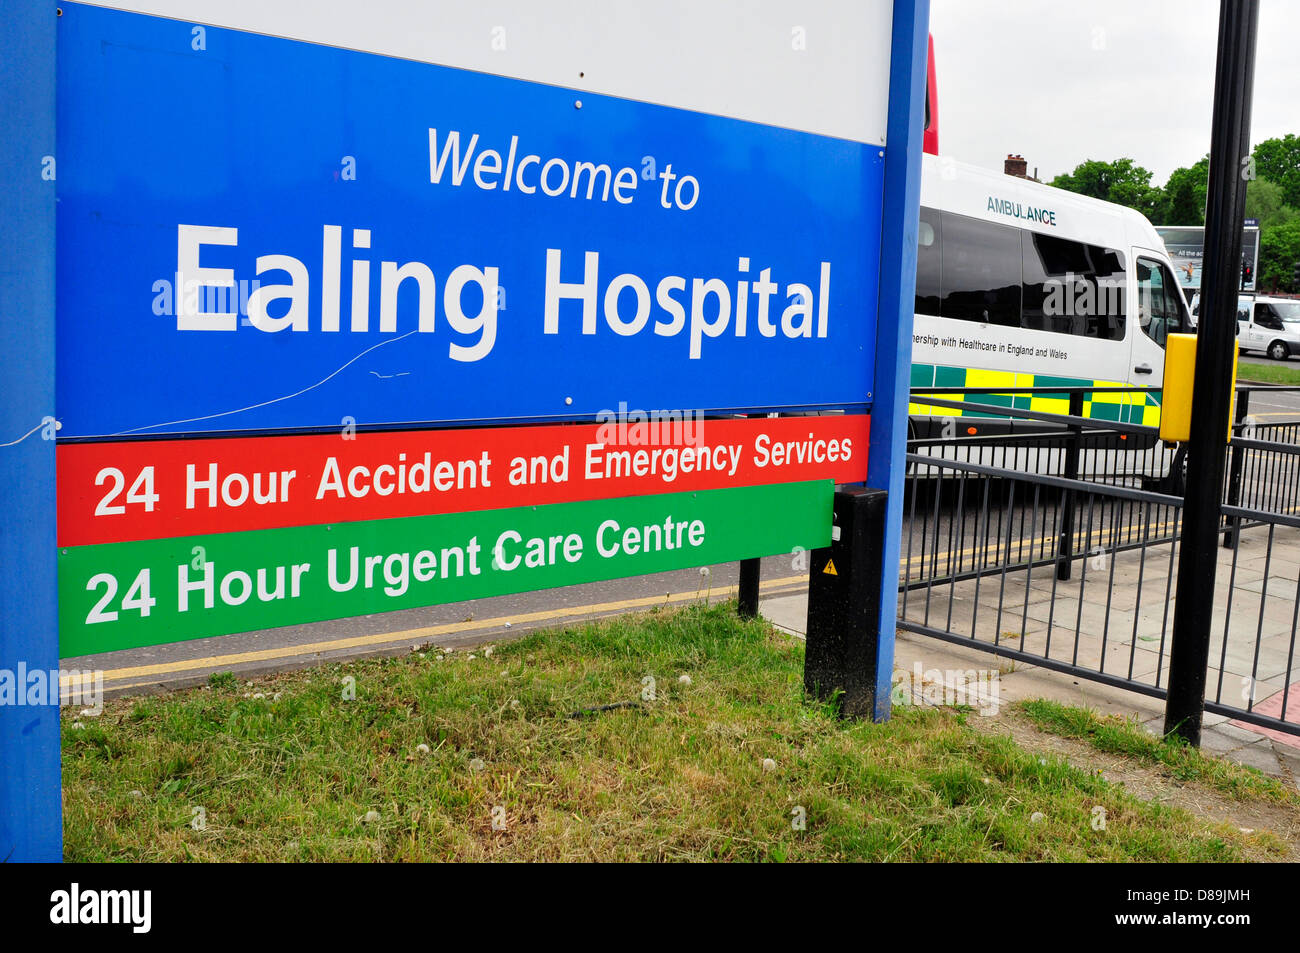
{"x":1059,"y":548}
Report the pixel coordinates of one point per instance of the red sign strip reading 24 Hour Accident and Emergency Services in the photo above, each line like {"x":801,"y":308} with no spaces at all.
{"x":115,"y":492}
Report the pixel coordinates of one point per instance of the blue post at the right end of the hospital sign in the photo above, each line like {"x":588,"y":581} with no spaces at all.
{"x":902,"y":214}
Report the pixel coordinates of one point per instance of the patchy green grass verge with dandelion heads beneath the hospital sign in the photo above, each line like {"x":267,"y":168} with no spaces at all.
{"x":479,"y":756}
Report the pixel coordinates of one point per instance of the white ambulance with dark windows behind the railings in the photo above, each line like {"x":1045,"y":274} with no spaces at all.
{"x":1024,"y":285}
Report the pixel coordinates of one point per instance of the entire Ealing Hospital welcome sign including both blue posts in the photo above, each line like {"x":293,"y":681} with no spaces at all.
{"x":350,"y":309}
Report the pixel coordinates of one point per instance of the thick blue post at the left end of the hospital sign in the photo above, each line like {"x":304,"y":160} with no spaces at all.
{"x":31,"y":792}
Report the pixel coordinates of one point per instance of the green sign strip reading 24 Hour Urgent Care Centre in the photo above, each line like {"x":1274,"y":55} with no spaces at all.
{"x":213,"y":586}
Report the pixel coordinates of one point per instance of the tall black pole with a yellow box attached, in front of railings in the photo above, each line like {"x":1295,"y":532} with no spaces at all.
{"x":1230,"y":151}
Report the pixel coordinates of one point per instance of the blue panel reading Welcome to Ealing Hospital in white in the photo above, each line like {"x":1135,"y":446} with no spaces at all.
{"x":263,"y":235}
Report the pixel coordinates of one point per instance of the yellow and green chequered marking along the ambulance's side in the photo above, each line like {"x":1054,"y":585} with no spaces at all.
{"x":1126,"y":409}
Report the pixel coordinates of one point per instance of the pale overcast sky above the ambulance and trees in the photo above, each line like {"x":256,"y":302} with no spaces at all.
{"x":1063,"y":83}
